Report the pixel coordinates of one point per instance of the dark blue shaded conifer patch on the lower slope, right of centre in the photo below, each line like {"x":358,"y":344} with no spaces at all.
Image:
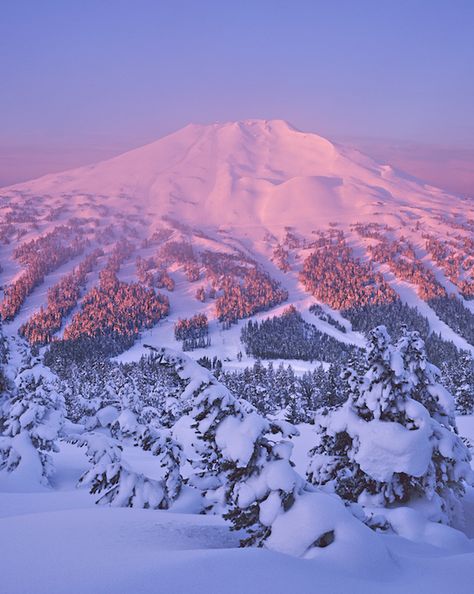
{"x":289,"y":337}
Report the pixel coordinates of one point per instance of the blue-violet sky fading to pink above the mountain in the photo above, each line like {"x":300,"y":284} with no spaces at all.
{"x":84,"y":79}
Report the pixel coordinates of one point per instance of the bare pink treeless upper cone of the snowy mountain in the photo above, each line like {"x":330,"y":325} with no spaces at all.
{"x":251,"y":173}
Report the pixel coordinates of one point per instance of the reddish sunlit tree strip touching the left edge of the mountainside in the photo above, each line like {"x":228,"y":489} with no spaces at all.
{"x":39,"y":257}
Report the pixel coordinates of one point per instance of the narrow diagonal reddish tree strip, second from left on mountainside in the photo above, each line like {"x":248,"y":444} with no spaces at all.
{"x":62,"y":298}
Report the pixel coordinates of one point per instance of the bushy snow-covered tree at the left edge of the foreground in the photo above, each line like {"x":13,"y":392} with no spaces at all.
{"x":32,"y":421}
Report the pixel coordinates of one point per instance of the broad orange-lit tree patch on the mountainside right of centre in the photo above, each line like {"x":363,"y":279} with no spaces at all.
{"x":335,"y":277}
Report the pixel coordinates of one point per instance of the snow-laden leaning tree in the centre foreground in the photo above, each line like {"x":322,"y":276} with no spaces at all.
{"x":243,"y":464}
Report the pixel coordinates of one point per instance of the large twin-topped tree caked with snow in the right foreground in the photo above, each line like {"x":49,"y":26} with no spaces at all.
{"x":393,"y":441}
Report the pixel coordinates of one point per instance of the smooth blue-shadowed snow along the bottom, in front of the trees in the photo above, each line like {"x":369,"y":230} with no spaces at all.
{"x":56,"y":541}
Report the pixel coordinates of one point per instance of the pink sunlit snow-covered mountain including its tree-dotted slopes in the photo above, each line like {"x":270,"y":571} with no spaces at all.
{"x":256,"y":192}
